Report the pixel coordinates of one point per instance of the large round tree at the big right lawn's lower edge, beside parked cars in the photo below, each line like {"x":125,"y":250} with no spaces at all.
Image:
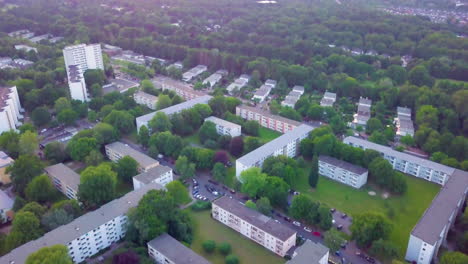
{"x":369,"y":227}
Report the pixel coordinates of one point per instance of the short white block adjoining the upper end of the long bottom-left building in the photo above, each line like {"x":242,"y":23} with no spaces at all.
{"x":160,"y":174}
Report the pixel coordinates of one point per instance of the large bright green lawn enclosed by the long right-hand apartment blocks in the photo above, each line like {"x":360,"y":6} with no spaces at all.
{"x":404,"y":211}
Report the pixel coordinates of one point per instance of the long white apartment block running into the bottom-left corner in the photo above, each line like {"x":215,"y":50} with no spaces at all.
{"x":88,"y":234}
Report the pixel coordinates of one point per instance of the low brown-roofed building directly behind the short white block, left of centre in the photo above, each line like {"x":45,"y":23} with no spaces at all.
{"x":118,"y":150}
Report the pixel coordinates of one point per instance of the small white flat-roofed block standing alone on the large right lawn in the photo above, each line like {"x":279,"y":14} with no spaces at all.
{"x":342,"y":171}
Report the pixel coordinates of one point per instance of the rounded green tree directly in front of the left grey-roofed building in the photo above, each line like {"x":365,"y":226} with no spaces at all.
{"x":40,"y":189}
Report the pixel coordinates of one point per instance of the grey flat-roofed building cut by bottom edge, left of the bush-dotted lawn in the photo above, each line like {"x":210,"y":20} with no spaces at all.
{"x":167,"y":250}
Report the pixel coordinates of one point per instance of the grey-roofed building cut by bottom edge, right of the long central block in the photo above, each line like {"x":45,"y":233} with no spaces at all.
{"x":310,"y":253}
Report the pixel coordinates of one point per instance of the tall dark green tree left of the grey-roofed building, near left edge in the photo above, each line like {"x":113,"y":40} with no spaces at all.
{"x":23,"y":170}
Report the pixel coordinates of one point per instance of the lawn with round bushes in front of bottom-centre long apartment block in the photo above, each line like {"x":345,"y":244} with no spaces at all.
{"x":205,"y":228}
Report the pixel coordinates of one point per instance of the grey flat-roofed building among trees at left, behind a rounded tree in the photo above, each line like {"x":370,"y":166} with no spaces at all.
{"x":64,"y":179}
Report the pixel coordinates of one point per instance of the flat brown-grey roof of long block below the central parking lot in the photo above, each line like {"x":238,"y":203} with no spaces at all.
{"x":255,"y":218}
